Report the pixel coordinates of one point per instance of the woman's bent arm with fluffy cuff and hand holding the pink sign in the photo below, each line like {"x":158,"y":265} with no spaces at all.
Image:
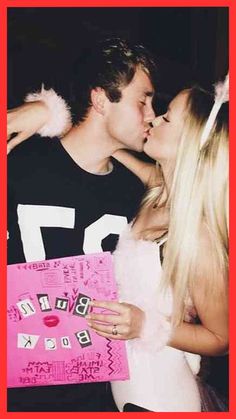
{"x":208,"y":338}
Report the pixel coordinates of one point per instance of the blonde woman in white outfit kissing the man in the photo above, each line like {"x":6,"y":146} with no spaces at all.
{"x":187,"y":198}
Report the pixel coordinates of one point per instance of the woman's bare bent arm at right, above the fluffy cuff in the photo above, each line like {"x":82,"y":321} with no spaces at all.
{"x":211,"y":336}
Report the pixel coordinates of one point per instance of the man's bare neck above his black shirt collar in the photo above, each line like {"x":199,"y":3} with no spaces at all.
{"x":89,"y":147}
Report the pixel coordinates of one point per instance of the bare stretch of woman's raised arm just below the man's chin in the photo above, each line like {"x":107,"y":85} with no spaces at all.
{"x":148,"y":173}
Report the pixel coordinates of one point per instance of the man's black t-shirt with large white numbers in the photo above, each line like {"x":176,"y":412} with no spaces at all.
{"x":56,"y":209}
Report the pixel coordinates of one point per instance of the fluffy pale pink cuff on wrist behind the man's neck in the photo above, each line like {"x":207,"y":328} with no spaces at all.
{"x":59,"y":121}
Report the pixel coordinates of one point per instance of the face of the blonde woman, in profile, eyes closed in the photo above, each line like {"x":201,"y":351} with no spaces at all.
{"x":164,"y":138}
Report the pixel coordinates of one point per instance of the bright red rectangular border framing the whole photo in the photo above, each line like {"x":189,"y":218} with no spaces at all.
{"x":3,"y":83}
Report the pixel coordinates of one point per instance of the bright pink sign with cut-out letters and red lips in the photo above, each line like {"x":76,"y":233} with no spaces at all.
{"x":49,"y":341}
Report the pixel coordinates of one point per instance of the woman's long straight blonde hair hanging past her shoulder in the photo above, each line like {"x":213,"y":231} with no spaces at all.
{"x":198,"y":199}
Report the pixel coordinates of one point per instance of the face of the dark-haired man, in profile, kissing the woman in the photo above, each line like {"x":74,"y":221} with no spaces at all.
{"x":127,"y":121}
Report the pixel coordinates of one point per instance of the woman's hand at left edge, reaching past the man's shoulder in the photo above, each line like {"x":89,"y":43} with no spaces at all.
{"x":25,"y":121}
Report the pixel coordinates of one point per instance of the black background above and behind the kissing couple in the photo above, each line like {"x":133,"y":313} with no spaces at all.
{"x":190,"y":44}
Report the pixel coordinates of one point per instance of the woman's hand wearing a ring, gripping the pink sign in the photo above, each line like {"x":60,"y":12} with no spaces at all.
{"x":125,"y":323}
